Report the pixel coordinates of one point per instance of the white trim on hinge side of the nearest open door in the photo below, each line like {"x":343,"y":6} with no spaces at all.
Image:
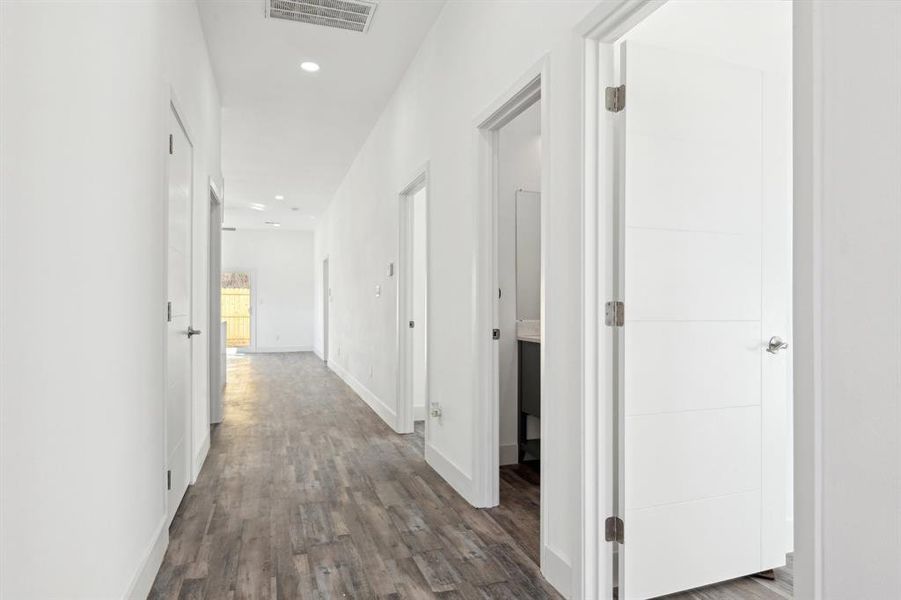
{"x":592,"y":575}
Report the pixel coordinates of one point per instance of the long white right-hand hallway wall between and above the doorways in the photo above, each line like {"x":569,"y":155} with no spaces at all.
{"x":474,"y":53}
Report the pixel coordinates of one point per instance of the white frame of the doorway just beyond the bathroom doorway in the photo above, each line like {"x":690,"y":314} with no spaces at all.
{"x":405,"y":411}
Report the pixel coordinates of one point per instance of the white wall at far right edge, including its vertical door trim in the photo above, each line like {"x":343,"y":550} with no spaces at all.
{"x":848,"y":299}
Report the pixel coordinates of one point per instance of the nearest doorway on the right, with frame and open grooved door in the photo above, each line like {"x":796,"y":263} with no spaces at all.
{"x":688,"y":222}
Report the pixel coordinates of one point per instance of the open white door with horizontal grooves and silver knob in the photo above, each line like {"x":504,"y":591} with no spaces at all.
{"x":703,"y":257}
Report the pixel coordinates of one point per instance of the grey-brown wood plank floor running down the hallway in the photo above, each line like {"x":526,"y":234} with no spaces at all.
{"x":306,"y":493}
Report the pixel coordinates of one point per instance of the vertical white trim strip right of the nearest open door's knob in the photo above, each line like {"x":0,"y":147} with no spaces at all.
{"x":807,"y":253}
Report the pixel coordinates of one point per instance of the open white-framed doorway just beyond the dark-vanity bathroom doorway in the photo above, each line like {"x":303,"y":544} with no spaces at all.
{"x":413,"y":294}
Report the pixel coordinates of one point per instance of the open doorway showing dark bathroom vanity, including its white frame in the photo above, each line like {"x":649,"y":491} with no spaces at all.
{"x":510,"y":465}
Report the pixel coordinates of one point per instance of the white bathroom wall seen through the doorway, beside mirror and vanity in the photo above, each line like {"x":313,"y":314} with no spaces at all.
{"x":519,"y":167}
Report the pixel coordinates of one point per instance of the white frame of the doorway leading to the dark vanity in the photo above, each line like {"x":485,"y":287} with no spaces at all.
{"x":531,"y":87}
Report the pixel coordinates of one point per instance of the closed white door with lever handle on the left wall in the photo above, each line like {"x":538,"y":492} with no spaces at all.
{"x":178,"y":392}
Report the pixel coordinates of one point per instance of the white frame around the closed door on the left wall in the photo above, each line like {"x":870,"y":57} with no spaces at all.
{"x":174,"y":106}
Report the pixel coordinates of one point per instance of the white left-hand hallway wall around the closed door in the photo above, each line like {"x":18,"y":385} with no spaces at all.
{"x":84,"y":89}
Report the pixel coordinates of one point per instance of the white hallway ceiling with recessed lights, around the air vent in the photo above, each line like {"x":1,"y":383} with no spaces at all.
{"x":292,"y":133}
